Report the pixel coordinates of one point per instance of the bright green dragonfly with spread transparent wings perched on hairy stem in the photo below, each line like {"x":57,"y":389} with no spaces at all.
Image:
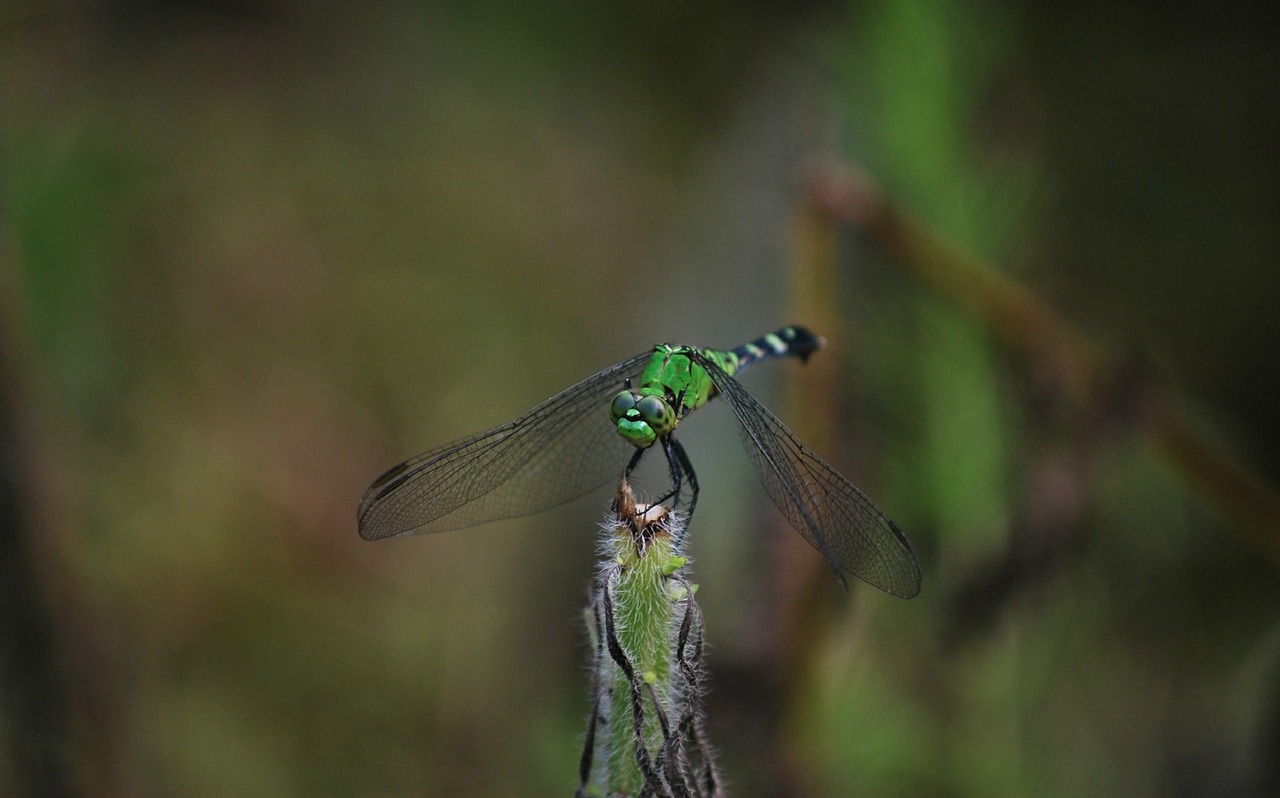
{"x":574,"y":444}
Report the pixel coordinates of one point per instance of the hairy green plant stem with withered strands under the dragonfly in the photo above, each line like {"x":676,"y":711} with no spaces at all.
{"x":648,"y":642}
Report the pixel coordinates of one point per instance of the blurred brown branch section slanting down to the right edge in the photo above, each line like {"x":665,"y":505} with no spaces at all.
{"x":1084,"y":370}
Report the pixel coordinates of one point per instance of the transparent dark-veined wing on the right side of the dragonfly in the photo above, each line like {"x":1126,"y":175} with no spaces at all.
{"x":830,"y":512}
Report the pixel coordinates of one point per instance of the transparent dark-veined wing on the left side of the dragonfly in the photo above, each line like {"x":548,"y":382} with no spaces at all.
{"x":556,"y":453}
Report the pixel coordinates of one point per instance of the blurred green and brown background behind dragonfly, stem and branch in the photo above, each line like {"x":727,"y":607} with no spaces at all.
{"x":257,"y":253}
